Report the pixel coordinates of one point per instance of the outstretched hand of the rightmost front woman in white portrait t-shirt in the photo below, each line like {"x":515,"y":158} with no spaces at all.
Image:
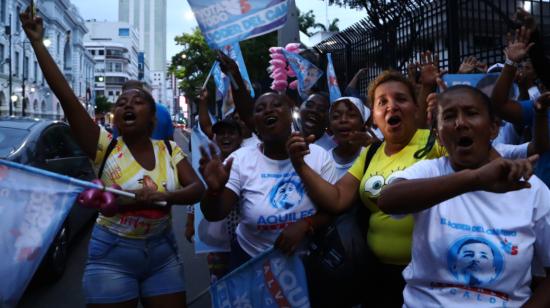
{"x":503,"y":175}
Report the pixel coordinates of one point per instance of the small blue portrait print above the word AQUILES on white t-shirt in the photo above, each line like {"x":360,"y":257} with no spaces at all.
{"x":286,"y":194}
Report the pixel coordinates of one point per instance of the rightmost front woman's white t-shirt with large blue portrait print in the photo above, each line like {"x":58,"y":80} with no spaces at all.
{"x":476,"y":249}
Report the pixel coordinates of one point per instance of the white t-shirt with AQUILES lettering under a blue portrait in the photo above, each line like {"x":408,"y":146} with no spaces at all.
{"x":271,"y":194}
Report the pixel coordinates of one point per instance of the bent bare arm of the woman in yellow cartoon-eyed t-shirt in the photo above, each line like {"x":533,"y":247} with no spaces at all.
{"x":333,"y":198}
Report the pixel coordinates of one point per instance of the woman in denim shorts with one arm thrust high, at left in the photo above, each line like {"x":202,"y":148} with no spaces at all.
{"x":132,"y":254}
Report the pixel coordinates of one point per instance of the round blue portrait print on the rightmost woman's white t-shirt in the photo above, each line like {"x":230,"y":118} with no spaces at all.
{"x":475,"y":261}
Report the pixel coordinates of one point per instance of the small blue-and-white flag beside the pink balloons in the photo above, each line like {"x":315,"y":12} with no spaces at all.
{"x":307,"y":74}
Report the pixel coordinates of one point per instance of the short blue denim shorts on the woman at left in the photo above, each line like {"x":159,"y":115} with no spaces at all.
{"x":120,"y":269}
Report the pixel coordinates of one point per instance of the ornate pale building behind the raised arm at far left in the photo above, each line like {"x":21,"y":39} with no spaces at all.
{"x":26,"y":92}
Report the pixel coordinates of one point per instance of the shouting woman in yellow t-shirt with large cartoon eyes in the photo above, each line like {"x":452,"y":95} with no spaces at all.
{"x":394,"y":110}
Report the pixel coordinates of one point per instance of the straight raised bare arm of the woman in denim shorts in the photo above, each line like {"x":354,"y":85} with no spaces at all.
{"x":82,"y":125}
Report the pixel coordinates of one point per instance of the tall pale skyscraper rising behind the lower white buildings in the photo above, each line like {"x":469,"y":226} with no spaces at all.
{"x":149,"y":17}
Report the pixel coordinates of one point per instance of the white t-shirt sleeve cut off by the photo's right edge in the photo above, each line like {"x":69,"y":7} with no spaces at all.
{"x":542,"y":225}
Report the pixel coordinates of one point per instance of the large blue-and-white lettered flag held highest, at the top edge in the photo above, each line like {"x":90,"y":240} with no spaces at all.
{"x":224,"y":22}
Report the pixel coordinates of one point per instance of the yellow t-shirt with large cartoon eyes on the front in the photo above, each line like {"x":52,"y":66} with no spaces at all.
{"x":390,"y":239}
